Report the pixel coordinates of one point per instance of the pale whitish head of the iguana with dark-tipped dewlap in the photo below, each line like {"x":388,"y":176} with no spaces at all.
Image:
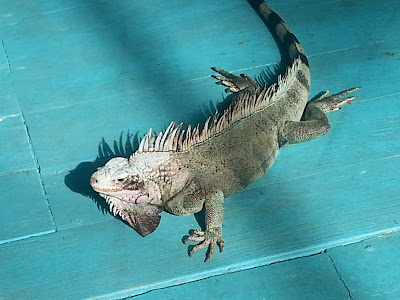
{"x":134,"y":188}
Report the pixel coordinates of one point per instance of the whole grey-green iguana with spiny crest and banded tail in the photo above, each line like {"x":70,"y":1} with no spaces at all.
{"x":182,"y":171}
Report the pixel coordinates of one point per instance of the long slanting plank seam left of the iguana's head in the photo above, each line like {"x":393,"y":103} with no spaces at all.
{"x":32,"y":148}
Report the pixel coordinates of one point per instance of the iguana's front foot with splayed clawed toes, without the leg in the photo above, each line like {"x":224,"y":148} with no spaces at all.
{"x":209,"y":238}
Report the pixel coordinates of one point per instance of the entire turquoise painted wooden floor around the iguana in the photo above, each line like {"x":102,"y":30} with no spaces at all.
{"x":81,"y":81}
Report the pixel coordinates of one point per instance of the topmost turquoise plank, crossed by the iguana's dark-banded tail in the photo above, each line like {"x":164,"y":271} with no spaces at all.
{"x":86,"y":57}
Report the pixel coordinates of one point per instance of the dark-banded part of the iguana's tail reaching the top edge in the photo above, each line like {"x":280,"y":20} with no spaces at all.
{"x":282,"y":31}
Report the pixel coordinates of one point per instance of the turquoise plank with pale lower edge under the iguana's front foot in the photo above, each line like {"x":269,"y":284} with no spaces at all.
{"x":262,"y":225}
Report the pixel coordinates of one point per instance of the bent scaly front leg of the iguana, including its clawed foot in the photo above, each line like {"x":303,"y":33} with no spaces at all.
{"x":191,"y":200}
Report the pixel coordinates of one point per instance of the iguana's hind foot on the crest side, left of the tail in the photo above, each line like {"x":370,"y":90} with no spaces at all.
{"x":235,"y":83}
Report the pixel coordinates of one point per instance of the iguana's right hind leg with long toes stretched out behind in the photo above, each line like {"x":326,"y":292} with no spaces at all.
{"x":315,"y":122}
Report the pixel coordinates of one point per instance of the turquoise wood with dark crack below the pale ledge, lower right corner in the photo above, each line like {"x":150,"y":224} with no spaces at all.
{"x":365,"y":270}
